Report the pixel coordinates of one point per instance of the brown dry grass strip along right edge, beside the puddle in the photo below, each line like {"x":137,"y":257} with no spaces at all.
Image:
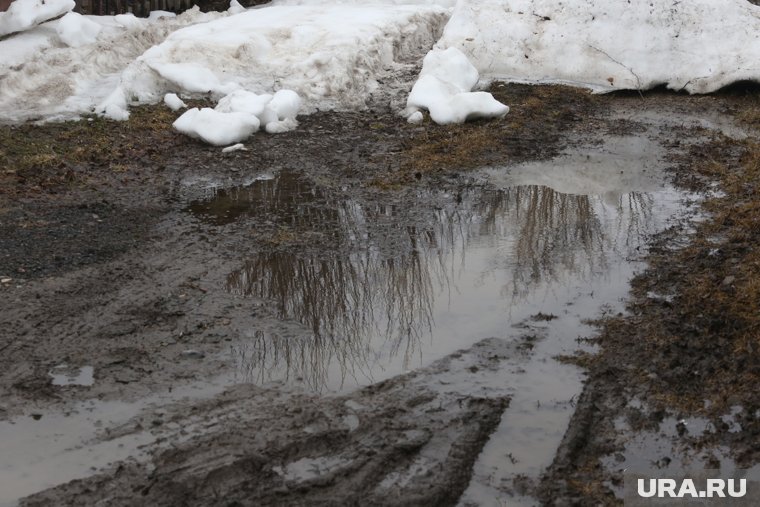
{"x":706,"y":345}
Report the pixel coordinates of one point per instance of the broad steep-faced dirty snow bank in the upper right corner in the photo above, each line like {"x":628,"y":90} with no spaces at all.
{"x":698,"y":46}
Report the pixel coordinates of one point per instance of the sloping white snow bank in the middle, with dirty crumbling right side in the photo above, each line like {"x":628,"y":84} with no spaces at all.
{"x":333,"y":56}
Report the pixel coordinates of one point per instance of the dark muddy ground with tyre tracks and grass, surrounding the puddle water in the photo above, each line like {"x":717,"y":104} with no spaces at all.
{"x":101,"y":264}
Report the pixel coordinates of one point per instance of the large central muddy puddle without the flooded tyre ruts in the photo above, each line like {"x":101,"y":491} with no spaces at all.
{"x":367,"y":291}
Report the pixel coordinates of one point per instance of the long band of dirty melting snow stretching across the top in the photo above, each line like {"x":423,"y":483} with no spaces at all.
{"x":347,"y":55}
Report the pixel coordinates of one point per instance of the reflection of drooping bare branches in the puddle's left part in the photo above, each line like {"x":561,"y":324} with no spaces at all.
{"x":344,"y":303}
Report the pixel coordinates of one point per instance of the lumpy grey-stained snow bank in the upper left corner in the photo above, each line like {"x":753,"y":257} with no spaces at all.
{"x":39,"y":79}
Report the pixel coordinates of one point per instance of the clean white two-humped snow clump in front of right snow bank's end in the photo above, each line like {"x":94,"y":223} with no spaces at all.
{"x":444,"y":89}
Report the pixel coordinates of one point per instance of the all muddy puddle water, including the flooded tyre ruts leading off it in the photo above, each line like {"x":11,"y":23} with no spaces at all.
{"x":351,"y":290}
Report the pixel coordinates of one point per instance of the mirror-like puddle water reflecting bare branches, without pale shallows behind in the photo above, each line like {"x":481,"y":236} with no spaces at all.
{"x":407,"y":283}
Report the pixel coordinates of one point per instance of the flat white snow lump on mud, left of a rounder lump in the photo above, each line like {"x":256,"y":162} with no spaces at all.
{"x":213,"y":127}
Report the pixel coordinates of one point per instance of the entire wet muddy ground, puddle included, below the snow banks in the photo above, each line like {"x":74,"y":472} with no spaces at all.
{"x":367,"y":311}
